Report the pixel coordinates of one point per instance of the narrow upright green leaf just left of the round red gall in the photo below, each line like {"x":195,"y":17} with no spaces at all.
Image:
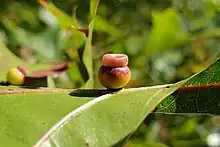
{"x":87,"y":54}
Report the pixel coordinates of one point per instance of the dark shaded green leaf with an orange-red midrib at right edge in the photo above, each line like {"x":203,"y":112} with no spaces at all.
{"x":202,"y":97}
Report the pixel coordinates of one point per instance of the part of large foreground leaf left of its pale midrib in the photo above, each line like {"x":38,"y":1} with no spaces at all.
{"x":27,"y":114}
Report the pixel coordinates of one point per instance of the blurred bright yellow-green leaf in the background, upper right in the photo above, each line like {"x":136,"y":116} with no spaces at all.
{"x":166,"y":32}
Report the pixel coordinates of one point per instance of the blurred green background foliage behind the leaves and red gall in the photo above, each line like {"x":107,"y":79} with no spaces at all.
{"x":166,"y":41}
